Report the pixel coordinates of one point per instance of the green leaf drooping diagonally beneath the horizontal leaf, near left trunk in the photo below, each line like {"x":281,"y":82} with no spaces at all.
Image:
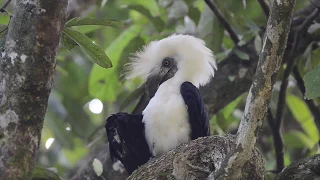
{"x":95,"y":52}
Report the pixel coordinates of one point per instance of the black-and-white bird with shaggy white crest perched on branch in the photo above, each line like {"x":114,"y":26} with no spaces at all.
{"x":173,"y":69}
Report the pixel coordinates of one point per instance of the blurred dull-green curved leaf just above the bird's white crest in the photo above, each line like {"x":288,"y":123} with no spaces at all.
{"x":156,"y":21}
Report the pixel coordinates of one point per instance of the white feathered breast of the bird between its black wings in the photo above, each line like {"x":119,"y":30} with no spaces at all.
{"x":166,"y":120}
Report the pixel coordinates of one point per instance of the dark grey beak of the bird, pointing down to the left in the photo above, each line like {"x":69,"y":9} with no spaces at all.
{"x":155,"y":81}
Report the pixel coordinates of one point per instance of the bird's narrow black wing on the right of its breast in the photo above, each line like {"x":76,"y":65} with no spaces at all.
{"x":198,"y":116}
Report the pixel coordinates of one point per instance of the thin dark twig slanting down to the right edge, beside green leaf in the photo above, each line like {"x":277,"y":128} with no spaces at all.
{"x":310,"y":103}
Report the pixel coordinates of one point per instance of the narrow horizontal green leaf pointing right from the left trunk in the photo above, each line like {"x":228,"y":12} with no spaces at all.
{"x":94,"y":21}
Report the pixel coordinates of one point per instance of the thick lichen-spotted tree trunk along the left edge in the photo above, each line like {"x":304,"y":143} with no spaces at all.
{"x":26,"y":75}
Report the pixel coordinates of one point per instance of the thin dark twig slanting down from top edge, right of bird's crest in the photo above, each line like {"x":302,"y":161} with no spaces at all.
{"x":223,"y":21}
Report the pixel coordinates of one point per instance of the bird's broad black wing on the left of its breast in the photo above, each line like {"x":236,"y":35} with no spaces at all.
{"x":127,"y":140}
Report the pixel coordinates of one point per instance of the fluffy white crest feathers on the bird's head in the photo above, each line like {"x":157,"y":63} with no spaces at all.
{"x":194,"y":60}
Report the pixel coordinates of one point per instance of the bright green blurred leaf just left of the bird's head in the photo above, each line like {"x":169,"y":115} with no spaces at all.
{"x":105,"y":85}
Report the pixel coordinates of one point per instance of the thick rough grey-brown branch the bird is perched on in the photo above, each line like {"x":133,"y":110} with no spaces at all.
{"x":196,"y":160}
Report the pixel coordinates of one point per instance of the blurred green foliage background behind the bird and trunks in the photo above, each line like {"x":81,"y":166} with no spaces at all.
{"x":84,"y":94}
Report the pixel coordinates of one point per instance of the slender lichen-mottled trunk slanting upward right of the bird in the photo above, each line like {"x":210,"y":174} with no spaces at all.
{"x":270,"y":59}
